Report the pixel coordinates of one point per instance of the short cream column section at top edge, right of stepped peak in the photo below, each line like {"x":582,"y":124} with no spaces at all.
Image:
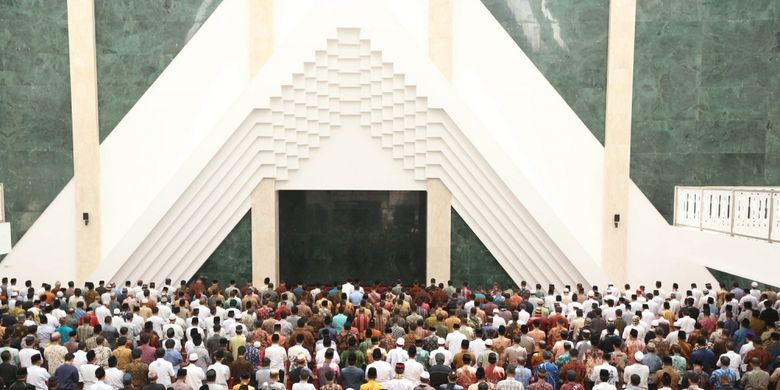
{"x":440,"y":23}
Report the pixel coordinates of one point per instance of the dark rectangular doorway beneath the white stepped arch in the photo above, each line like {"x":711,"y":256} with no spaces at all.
{"x":327,"y":236}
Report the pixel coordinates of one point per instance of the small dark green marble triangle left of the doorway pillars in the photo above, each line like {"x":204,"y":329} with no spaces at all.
{"x":232,"y":260}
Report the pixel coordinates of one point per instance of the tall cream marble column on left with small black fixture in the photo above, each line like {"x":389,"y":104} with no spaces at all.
{"x":86,"y":135}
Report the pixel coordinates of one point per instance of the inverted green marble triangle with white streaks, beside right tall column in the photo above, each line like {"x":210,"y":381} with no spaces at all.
{"x":567,"y":41}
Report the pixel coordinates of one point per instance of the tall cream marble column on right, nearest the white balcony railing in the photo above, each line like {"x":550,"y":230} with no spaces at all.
{"x":617,"y":138}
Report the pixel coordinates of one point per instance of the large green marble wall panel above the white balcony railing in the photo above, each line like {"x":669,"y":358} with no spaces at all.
{"x":706,"y":84}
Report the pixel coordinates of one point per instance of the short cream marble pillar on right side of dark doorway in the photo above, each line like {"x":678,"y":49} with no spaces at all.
{"x":438,"y":231}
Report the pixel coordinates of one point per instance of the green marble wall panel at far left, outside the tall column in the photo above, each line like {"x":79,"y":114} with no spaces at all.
{"x":36,"y":158}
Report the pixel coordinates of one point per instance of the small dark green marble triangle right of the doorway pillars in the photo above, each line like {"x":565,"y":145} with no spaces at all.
{"x":470,"y":260}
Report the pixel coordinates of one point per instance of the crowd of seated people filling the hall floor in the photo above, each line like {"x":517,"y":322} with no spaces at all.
{"x":204,"y":336}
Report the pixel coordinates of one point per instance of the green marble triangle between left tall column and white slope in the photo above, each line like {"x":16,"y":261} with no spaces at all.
{"x":136,"y":40}
